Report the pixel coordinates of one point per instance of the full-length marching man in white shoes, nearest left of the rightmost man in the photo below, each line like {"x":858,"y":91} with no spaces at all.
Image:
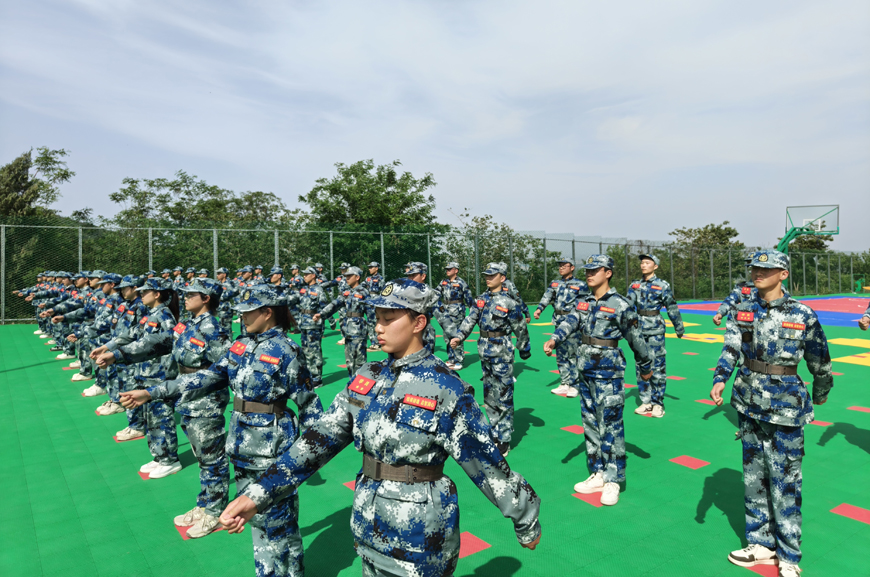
{"x":602,"y":318}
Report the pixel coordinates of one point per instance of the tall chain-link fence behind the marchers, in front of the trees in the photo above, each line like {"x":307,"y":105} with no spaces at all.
{"x":531,"y":257}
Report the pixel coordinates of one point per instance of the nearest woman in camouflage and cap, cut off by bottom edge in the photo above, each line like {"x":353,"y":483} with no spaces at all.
{"x":408,"y":414}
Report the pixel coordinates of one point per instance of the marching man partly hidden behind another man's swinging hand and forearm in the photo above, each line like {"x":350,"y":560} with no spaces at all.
{"x":564,"y":293}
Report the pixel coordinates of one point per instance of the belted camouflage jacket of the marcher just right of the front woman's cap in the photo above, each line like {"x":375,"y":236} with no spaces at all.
{"x":496,"y":312}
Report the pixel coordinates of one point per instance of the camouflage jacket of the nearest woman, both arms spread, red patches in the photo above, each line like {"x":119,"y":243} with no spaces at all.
{"x":409,"y":411}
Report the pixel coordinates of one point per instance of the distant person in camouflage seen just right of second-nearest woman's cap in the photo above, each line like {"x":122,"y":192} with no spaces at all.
{"x":307,"y":302}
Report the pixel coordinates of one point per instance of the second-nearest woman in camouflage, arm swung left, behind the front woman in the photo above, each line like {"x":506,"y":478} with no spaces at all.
{"x":264,"y":369}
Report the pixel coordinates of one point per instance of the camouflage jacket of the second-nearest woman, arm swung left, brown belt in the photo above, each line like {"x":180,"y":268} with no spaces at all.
{"x":263,"y":368}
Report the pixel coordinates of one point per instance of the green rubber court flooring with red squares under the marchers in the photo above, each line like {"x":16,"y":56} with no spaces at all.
{"x":74,"y":503}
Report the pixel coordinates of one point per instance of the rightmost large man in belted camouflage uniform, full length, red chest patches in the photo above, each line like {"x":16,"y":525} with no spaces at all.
{"x":771,"y":332}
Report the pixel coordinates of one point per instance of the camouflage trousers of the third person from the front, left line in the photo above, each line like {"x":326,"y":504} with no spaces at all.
{"x":208,"y":440}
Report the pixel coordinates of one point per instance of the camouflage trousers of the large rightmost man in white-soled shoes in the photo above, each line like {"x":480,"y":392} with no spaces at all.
{"x":772,"y":456}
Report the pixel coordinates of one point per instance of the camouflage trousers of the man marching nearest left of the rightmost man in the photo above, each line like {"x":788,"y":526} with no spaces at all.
{"x":602,"y":402}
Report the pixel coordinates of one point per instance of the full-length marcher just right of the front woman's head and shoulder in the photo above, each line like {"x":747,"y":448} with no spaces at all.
{"x":498,"y":316}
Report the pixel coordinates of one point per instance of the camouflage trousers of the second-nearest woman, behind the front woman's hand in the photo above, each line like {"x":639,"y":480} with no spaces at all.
{"x":278,"y":548}
